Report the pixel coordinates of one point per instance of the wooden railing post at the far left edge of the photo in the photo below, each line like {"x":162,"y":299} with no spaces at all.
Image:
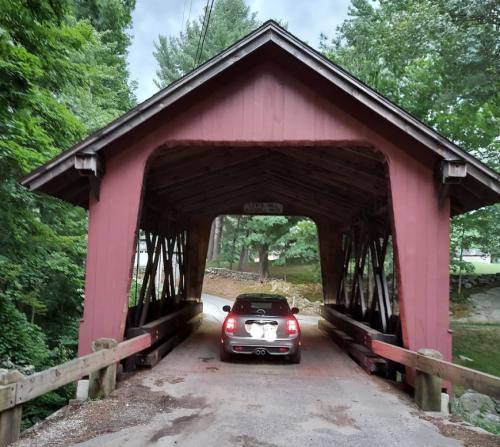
{"x":10,"y":420}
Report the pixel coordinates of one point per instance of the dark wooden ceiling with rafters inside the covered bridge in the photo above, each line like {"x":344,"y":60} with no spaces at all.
{"x":334,"y":182}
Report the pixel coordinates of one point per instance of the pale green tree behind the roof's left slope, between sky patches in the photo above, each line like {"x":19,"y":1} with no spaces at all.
{"x":230,"y":20}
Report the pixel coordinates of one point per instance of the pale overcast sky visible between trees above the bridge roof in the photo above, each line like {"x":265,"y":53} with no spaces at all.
{"x":306,"y":19}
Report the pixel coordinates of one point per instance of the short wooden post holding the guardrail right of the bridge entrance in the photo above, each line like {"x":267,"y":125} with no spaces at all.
{"x":427,"y":387}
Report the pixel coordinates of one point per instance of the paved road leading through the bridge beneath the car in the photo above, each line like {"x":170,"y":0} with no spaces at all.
{"x":327,"y":400}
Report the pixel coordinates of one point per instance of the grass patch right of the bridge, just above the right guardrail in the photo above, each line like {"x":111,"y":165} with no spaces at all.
{"x":479,"y":342}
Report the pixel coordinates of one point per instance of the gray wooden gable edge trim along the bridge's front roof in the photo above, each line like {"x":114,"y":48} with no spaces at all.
{"x":270,"y":31}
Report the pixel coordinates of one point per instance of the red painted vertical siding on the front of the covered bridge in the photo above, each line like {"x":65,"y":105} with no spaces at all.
{"x":270,"y":107}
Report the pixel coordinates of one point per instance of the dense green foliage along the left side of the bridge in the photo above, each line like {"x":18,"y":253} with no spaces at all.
{"x":60,"y":78}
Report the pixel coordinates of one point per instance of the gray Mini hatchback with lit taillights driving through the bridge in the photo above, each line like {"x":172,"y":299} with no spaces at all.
{"x":260,"y":324}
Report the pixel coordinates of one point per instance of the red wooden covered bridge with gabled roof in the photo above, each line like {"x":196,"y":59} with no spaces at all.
{"x":271,"y":120}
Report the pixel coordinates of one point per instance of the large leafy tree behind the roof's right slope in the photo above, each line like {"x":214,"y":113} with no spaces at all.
{"x":438,"y":60}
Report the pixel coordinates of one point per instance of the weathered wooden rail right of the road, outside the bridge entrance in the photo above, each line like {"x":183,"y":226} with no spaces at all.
{"x":471,"y":379}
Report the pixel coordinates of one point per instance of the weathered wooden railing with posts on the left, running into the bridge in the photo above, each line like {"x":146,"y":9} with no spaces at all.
{"x":15,"y":389}
